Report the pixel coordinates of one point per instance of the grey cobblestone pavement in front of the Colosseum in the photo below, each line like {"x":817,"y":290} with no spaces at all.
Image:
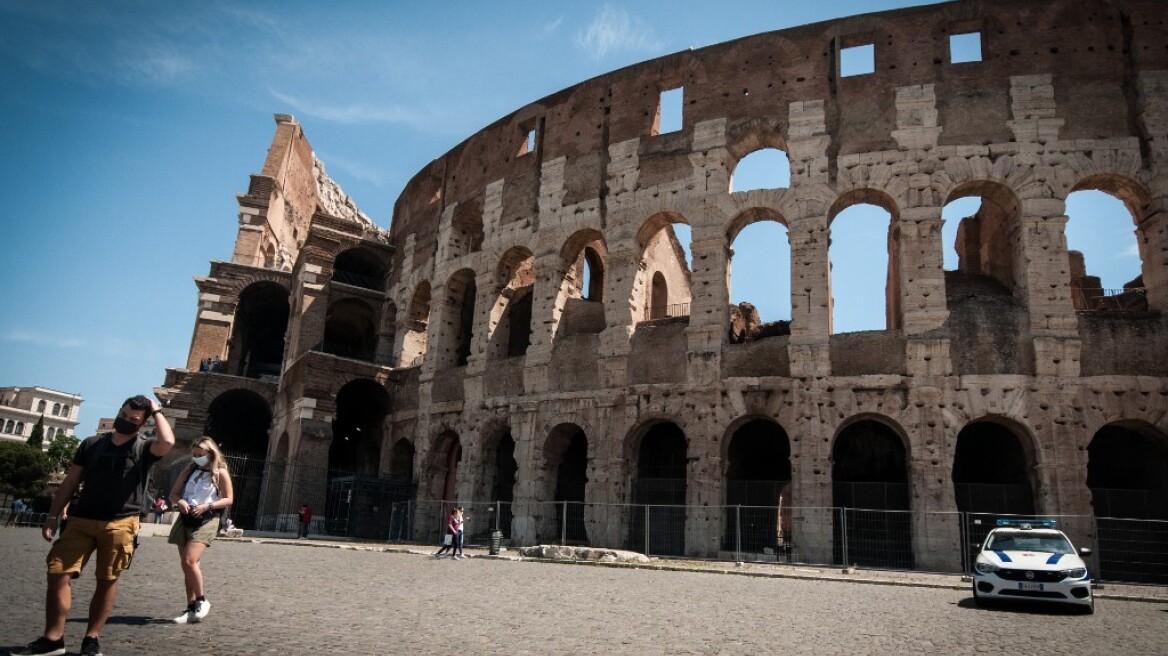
{"x":301,"y":598}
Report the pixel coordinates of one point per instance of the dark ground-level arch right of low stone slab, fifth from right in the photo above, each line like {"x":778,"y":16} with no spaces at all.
{"x":661,"y":485}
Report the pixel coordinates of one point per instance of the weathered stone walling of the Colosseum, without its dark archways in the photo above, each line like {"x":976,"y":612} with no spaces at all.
{"x":1069,"y":95}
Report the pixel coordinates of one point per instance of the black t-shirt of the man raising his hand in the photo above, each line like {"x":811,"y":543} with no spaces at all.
{"x":114,"y":484}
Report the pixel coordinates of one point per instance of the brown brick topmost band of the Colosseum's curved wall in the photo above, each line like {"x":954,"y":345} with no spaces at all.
{"x":1093,"y":48}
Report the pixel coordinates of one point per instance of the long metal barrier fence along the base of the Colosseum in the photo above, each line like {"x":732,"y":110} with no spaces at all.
{"x":1125,"y":550}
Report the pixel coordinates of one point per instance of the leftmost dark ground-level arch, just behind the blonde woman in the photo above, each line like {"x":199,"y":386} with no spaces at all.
{"x":239,"y":422}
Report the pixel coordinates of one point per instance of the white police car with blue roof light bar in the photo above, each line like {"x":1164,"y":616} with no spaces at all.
{"x":1030,"y":560}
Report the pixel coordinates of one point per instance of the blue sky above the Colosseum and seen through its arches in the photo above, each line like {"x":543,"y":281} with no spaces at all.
{"x":128,"y":128}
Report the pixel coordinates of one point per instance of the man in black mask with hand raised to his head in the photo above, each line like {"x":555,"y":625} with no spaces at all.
{"x":103,"y":519}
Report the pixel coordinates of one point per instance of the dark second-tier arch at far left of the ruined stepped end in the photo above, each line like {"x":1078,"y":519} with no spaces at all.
{"x":258,"y":337}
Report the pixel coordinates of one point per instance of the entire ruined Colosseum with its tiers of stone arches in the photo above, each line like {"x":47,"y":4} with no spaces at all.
{"x":531,"y":338}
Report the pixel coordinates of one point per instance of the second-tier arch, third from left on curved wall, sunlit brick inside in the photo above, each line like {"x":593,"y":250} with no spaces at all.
{"x":511,"y":316}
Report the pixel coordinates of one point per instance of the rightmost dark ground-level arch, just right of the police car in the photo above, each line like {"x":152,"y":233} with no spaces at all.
{"x":1128,"y":474}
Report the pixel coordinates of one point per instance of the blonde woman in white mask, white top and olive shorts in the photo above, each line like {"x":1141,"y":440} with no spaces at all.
{"x":200,"y":494}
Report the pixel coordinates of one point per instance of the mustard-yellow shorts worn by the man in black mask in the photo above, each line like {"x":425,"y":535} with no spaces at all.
{"x":114,"y":541}
